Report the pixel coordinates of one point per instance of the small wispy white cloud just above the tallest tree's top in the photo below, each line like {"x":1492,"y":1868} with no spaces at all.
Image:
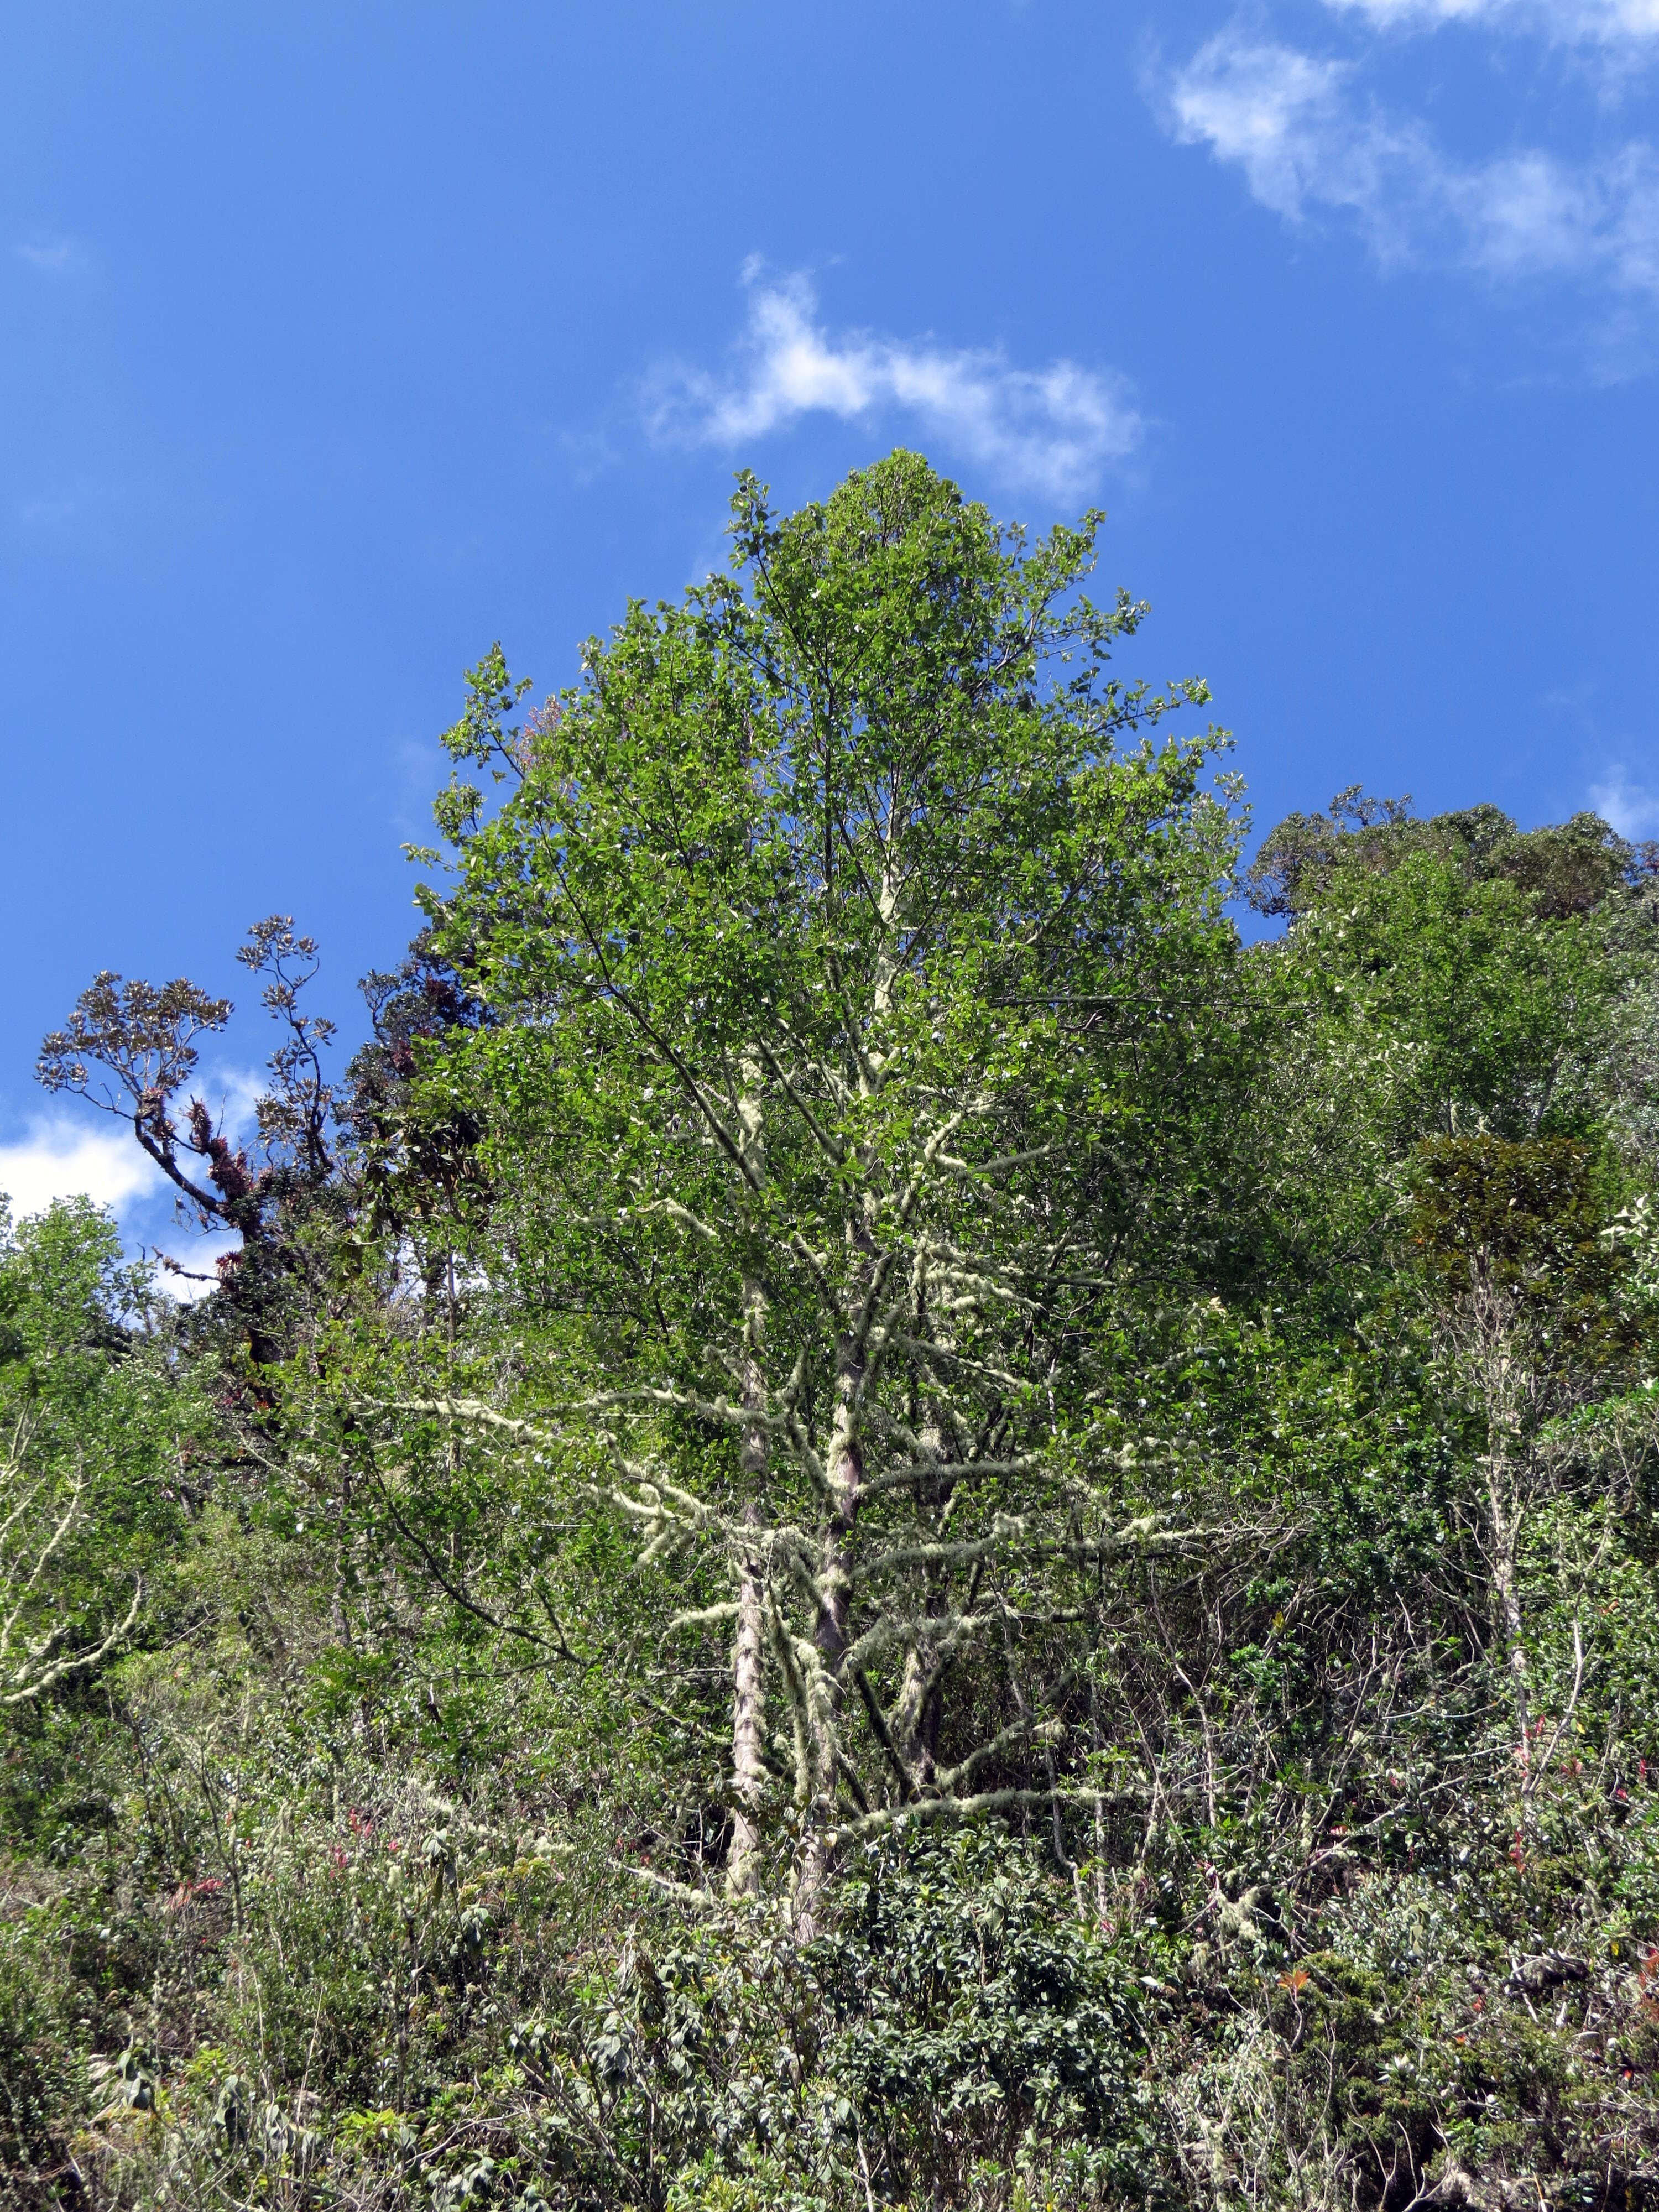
{"x":1047,"y":432}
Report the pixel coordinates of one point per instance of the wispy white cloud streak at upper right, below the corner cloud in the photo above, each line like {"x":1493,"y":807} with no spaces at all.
{"x":1304,"y":140}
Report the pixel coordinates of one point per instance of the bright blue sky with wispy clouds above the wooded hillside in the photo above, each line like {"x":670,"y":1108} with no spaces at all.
{"x":340,"y":342}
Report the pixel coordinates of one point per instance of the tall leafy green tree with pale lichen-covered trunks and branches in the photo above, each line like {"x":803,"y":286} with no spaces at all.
{"x":828,"y":932}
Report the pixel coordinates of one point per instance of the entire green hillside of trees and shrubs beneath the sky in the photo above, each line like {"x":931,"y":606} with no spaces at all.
{"x":877,"y":1514}
